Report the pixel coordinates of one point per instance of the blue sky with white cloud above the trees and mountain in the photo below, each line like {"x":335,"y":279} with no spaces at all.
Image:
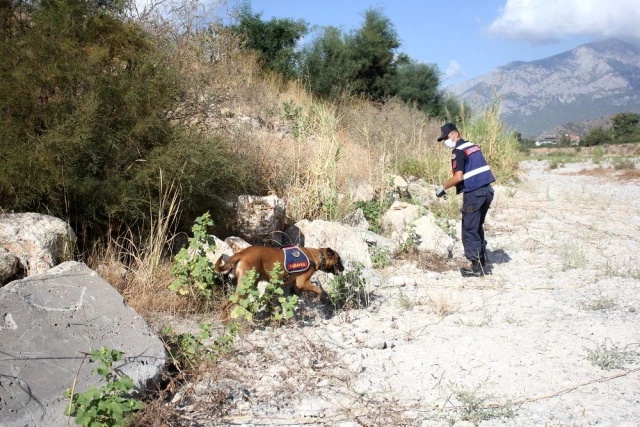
{"x":468,"y":38}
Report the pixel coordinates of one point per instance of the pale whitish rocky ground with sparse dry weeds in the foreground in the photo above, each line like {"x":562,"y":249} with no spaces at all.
{"x":550,"y":337}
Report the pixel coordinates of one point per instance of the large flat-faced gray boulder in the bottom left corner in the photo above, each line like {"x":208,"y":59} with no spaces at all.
{"x":46,"y":322}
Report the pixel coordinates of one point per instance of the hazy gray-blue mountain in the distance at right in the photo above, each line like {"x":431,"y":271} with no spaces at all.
{"x":590,"y":81}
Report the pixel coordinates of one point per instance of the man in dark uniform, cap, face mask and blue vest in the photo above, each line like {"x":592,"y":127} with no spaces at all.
{"x":471,"y":175}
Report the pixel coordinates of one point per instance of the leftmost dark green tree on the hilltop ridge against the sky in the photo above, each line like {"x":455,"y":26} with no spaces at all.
{"x":274,"y":40}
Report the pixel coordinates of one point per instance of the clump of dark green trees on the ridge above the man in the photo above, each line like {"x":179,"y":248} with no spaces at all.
{"x":366,"y":62}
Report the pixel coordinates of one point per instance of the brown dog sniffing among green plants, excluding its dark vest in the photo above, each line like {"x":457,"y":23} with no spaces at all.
{"x":263,"y":259}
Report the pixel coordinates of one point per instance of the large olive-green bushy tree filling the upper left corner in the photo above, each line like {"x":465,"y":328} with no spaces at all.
{"x":86,"y":98}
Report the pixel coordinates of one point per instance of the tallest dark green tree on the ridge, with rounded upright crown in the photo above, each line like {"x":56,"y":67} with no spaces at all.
{"x":373,"y":49}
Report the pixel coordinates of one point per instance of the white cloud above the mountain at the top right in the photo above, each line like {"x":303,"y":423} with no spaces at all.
{"x":544,"y":21}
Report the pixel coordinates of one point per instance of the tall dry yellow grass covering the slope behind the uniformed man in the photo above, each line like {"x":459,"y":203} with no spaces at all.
{"x":309,"y":151}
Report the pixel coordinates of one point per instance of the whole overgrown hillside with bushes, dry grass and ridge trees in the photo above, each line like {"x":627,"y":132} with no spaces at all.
{"x":131,"y":124}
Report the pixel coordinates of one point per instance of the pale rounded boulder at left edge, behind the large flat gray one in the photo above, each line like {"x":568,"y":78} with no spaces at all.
{"x":38,"y":241}
